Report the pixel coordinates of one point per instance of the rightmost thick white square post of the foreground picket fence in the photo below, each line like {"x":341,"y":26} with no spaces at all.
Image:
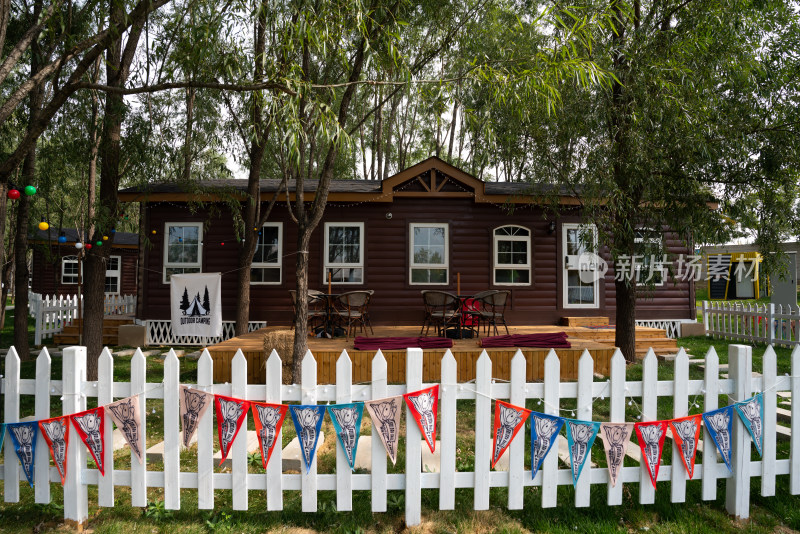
{"x":737,"y":489}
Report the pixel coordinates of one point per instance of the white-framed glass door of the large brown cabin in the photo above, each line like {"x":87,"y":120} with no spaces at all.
{"x":581,"y":271}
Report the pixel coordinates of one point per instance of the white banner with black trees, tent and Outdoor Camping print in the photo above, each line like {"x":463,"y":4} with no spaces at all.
{"x":196,"y":304}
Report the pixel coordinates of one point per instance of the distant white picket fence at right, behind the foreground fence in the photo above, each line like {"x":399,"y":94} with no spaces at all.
{"x":768,"y":323}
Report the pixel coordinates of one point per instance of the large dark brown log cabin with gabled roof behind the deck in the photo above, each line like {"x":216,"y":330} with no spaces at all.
{"x":431,"y":226}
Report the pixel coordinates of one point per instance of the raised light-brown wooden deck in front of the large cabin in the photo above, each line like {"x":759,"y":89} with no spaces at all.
{"x":465,"y":351}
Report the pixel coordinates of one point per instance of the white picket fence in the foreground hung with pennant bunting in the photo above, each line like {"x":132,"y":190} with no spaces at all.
{"x":74,"y":390}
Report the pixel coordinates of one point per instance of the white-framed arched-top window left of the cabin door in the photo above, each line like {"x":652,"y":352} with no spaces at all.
{"x":512,"y":256}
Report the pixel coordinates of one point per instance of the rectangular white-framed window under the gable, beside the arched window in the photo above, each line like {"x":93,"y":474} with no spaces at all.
{"x":429,"y":254}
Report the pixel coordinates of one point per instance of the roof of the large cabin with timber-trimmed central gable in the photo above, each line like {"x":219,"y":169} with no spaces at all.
{"x":432,"y":177}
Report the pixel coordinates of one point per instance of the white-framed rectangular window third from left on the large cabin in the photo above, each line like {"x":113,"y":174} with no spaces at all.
{"x":344,"y":253}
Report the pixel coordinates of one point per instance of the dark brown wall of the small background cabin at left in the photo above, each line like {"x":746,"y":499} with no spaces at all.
{"x":46,"y":272}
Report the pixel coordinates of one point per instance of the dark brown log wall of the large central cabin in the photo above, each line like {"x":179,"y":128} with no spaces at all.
{"x":386,"y":262}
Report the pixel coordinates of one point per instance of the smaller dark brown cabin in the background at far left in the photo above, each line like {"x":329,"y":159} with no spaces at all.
{"x":56,"y":266}
